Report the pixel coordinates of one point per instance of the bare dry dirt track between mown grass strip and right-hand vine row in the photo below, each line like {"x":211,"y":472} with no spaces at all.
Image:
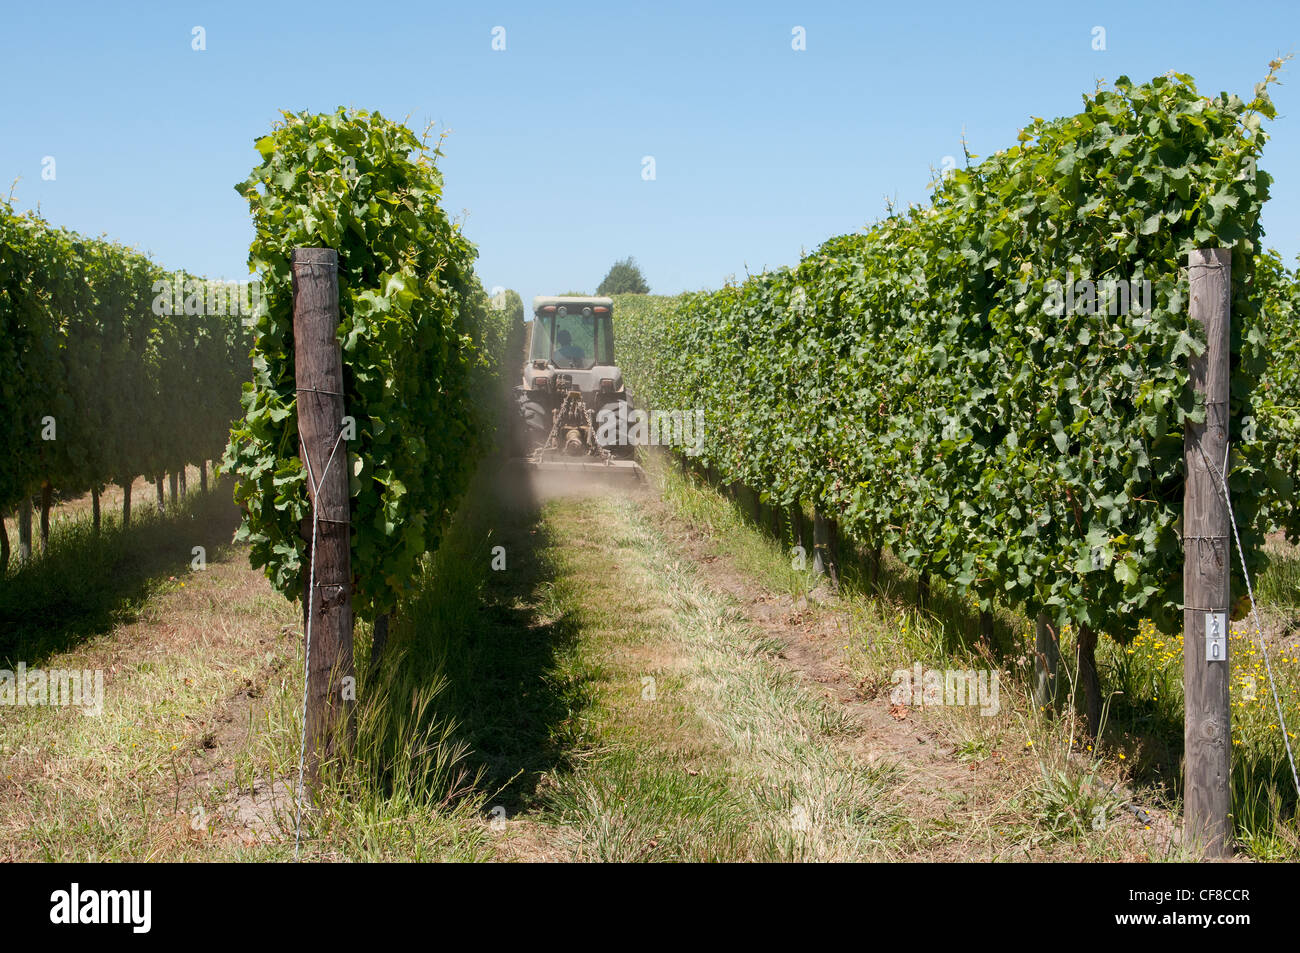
{"x":955,"y":803}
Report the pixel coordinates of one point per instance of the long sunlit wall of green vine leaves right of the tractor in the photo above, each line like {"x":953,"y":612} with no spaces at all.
{"x":929,"y":385}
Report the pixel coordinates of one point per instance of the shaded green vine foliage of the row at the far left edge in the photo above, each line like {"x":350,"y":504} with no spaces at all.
{"x":127,"y":380}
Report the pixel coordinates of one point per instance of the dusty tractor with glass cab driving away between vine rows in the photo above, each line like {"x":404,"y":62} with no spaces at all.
{"x":573,"y":396}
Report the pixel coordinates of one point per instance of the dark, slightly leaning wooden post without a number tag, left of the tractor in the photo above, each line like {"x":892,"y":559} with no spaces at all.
{"x":328,"y":584}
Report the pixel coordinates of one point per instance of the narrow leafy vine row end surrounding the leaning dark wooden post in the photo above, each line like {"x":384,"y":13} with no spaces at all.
{"x":422,"y":348}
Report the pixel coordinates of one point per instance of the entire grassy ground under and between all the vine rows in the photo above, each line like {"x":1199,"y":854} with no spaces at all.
{"x":601,"y":698}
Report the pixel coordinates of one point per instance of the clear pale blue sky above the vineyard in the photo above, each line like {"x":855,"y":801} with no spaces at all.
{"x":760,"y":150}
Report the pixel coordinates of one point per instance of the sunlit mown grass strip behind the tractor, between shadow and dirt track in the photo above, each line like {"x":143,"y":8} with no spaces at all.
{"x":699,"y":746}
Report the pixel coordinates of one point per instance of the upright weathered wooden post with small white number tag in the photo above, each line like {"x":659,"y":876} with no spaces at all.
{"x":1207,"y":729}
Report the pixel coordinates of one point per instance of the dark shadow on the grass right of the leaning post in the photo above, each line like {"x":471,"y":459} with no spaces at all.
{"x":482,"y":629}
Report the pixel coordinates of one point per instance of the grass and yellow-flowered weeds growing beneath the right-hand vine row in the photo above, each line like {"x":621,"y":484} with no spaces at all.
{"x":1052,"y":792}
